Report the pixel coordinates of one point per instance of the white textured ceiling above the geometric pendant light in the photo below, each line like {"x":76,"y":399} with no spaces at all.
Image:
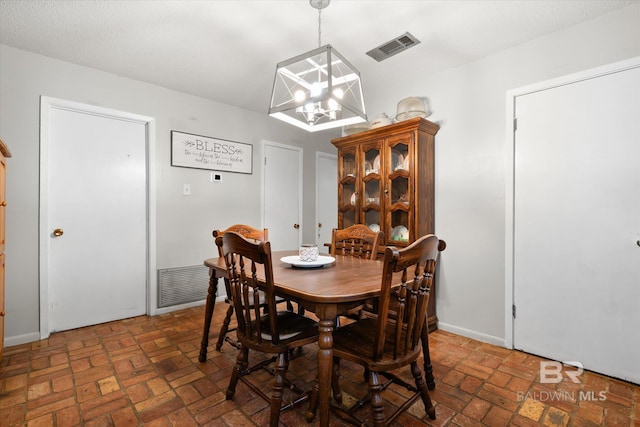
{"x":227,"y":51}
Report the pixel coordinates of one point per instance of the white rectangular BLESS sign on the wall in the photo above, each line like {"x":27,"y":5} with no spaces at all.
{"x":202,"y":152}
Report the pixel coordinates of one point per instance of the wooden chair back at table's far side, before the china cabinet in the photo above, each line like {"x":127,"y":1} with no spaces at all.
{"x":358,"y":241}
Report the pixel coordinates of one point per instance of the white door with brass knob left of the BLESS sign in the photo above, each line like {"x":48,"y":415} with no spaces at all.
{"x":94,"y":227}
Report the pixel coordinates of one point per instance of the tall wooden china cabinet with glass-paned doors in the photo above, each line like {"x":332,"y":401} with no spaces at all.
{"x":386,"y":181}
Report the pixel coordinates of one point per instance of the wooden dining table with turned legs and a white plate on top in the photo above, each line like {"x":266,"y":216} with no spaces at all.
{"x":327,"y":291}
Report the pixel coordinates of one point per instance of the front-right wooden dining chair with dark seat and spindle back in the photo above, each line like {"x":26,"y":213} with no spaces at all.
{"x":387,"y":341}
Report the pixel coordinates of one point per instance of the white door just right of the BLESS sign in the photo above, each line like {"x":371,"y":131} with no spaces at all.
{"x":283,"y":195}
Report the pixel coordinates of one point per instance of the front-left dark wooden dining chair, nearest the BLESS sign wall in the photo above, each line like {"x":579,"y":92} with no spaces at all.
{"x":250,"y":270}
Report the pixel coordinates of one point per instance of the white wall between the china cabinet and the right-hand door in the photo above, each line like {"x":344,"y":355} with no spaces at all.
{"x":469,"y":103}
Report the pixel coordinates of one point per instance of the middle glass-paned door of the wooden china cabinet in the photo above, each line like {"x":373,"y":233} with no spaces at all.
{"x":371,"y":185}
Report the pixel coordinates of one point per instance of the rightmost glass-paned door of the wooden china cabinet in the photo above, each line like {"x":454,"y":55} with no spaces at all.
{"x":400,"y":190}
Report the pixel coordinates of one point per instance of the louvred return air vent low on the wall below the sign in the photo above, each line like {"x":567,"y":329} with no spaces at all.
{"x":181,"y":285}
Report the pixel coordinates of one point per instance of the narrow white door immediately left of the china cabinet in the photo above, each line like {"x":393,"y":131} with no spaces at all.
{"x":326,"y":198}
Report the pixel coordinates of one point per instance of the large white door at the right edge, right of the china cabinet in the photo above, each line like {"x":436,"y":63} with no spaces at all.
{"x":577,"y":223}
